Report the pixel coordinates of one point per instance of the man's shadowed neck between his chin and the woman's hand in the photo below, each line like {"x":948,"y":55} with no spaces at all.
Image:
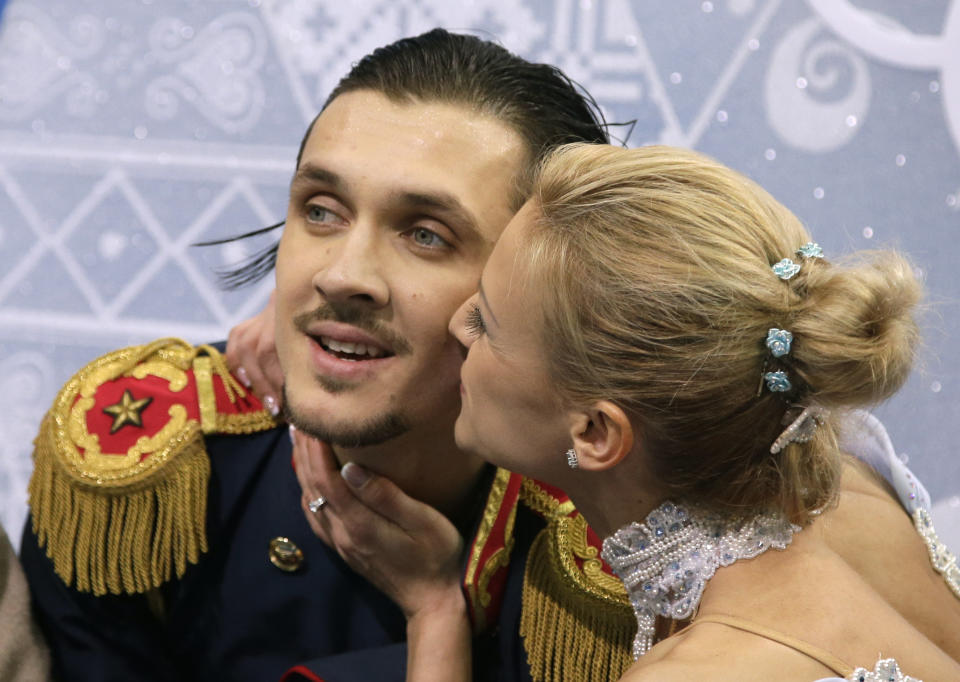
{"x":425,"y":464}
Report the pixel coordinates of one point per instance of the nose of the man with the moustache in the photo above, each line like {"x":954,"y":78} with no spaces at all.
{"x":355,"y":268}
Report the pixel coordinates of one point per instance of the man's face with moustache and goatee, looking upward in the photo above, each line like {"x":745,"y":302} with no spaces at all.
{"x":393,"y":212}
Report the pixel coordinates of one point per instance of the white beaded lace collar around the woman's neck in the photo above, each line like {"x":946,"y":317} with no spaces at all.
{"x":666,"y":561}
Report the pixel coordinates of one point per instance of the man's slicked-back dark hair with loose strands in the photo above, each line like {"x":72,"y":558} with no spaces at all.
{"x":537,"y":100}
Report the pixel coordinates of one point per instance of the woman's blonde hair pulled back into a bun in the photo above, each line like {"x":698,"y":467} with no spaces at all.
{"x":655,"y":264}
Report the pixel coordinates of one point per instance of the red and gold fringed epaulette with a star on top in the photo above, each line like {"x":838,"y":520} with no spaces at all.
{"x":118,"y":495}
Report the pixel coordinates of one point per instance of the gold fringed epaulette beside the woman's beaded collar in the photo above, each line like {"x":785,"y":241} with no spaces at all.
{"x":576,"y":620}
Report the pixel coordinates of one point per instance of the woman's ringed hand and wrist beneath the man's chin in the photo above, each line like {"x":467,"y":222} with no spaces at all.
{"x":407,"y":549}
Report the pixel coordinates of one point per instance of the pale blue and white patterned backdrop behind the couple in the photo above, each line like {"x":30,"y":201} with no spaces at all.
{"x":130,"y":129}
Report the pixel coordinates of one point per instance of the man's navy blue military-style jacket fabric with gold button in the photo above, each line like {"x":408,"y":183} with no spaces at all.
{"x":234,"y":615}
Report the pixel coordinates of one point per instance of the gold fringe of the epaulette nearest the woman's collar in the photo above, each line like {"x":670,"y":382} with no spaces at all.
{"x":570,"y":635}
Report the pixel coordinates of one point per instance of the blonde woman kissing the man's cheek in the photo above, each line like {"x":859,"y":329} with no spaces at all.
{"x":657,"y":336}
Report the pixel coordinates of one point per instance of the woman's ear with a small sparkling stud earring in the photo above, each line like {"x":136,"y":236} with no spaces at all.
{"x":602,"y":435}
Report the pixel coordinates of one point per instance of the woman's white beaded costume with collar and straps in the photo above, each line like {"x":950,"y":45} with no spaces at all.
{"x":666,"y":560}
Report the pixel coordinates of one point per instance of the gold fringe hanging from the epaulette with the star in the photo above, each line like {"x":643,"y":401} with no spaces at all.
{"x":122,"y":541}
